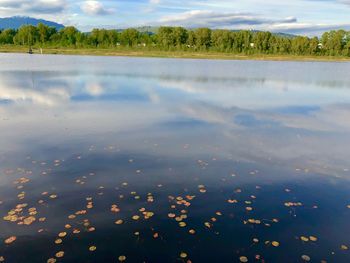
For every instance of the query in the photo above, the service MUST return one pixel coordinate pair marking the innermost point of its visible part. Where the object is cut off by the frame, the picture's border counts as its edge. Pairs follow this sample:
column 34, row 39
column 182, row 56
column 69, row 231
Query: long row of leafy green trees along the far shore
column 333, row 43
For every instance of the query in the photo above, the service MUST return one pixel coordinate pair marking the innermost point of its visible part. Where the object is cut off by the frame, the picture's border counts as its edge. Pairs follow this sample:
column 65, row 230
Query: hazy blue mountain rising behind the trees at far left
column 16, row 22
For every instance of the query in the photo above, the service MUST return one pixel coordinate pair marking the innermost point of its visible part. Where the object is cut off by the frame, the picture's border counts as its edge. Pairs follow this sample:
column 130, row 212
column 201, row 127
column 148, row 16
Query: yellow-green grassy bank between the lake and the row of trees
column 167, row 54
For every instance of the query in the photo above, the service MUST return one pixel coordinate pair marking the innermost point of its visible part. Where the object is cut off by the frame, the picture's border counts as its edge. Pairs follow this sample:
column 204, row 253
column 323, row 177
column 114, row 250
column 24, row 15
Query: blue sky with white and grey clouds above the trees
column 305, row 17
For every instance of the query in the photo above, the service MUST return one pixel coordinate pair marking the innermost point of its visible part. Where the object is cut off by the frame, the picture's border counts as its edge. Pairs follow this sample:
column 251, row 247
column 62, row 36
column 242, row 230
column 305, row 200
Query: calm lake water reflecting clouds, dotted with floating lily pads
column 253, row 155
